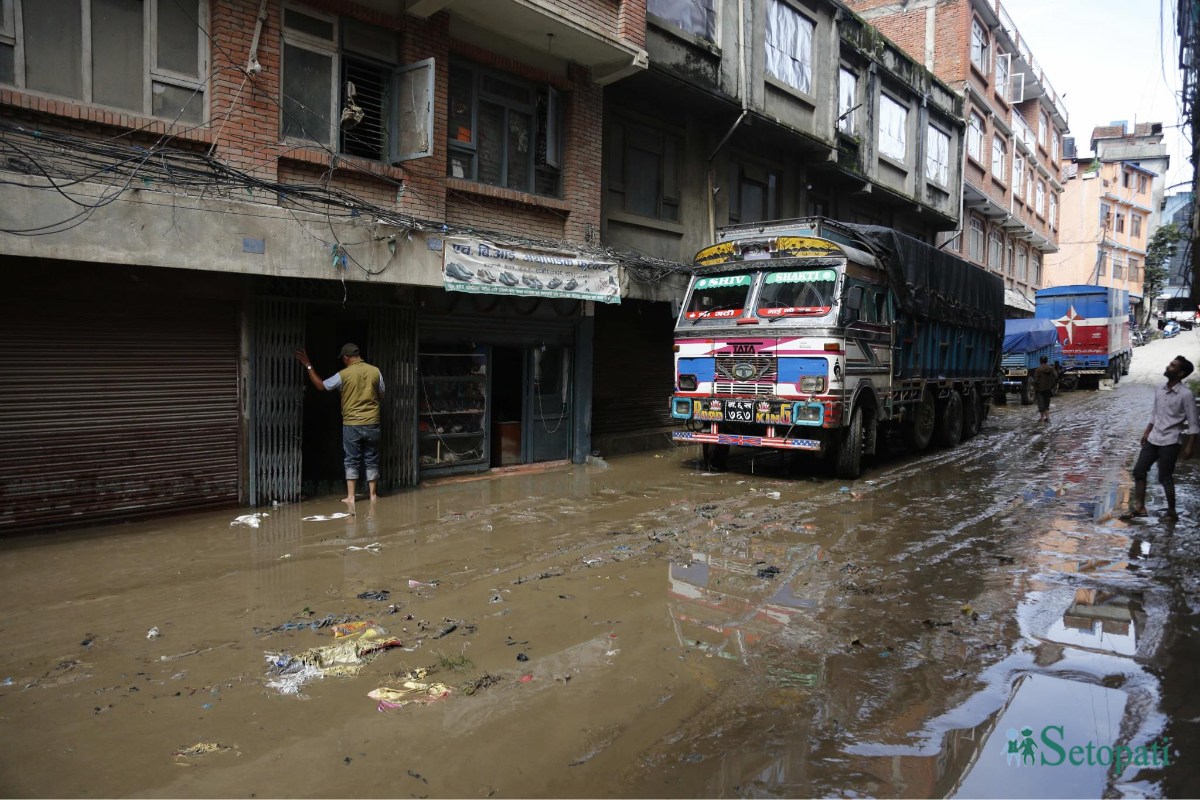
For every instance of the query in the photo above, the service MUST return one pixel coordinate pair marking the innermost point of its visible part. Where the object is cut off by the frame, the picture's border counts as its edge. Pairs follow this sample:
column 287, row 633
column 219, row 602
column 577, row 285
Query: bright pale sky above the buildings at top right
column 1111, row 61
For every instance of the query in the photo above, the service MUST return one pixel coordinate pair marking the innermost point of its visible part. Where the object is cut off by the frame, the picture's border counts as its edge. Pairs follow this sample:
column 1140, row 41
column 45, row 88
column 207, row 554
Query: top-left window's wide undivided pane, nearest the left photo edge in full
column 55, row 47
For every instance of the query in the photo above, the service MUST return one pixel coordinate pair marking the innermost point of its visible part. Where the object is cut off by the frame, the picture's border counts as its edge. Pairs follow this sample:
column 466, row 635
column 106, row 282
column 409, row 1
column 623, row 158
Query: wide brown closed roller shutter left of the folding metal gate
column 117, row 408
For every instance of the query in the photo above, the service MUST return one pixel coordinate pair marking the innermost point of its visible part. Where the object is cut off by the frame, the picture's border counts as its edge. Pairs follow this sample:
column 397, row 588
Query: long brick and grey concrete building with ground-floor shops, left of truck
column 494, row 199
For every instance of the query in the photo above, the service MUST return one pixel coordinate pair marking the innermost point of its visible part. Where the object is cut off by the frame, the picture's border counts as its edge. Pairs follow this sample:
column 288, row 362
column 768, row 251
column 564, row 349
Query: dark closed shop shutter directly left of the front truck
column 634, row 368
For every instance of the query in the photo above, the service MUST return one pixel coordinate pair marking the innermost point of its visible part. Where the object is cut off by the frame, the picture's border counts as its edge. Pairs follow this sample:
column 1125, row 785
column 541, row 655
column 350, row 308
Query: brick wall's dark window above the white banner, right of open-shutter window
column 505, row 131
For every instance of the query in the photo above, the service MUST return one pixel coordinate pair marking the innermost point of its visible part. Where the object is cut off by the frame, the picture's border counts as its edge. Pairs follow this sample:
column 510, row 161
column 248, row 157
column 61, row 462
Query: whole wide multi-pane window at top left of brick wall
column 143, row 57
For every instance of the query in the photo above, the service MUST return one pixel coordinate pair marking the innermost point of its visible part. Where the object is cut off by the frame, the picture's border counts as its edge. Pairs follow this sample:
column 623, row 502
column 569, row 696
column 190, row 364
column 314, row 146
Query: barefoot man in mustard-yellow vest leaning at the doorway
column 362, row 387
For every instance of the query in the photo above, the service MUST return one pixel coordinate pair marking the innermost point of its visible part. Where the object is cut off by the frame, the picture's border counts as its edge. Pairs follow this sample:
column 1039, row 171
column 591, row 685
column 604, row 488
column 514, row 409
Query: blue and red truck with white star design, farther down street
column 1094, row 329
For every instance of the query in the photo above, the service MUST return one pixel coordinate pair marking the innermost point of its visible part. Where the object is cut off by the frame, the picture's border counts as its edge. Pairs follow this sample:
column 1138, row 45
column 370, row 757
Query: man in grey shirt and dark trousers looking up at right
column 1173, row 428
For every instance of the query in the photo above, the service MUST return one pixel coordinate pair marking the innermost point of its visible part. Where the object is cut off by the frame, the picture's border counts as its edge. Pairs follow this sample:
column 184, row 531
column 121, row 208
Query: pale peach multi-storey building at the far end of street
column 1111, row 208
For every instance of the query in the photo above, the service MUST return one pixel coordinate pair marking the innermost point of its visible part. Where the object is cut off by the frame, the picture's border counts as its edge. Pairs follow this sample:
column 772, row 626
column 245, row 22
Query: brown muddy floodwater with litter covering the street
column 631, row 628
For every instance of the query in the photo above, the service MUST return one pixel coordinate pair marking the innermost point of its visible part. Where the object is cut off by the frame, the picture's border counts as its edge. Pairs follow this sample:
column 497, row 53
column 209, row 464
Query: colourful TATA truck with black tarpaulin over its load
column 821, row 338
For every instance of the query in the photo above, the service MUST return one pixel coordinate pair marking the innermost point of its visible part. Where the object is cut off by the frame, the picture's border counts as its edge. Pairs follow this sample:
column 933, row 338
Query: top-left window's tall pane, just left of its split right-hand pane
column 118, row 71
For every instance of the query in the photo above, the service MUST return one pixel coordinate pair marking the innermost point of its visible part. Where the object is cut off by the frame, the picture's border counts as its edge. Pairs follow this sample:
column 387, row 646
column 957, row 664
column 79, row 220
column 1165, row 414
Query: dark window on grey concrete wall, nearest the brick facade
column 644, row 171
